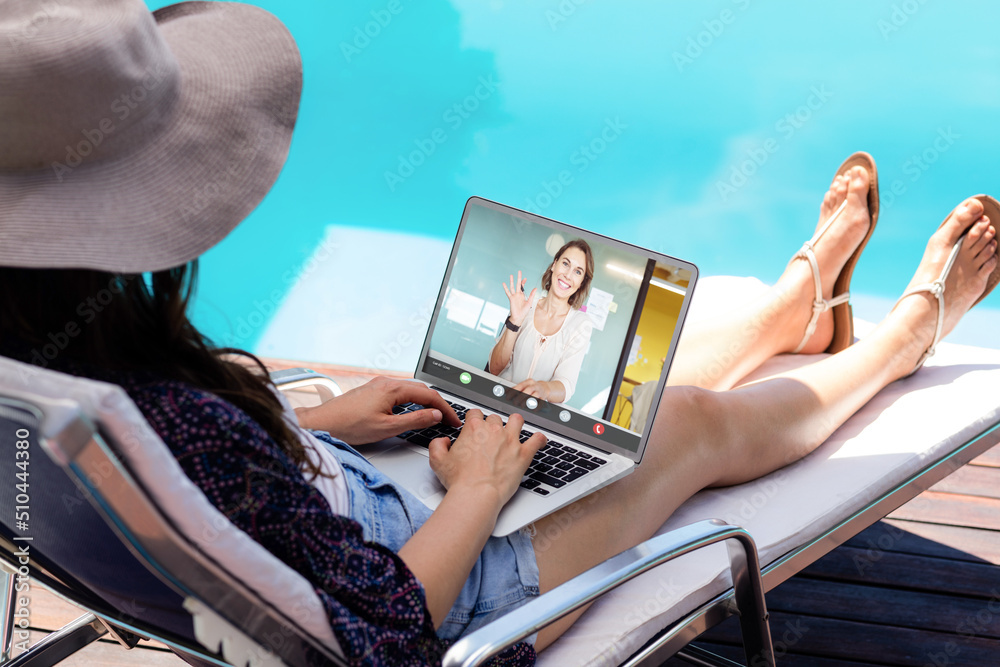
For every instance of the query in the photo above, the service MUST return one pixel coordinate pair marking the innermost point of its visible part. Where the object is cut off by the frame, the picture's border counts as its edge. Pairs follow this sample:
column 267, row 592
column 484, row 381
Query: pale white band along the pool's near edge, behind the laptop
column 365, row 298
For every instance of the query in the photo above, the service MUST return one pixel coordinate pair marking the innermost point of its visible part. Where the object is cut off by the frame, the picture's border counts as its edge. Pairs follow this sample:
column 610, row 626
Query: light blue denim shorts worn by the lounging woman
column 504, row 578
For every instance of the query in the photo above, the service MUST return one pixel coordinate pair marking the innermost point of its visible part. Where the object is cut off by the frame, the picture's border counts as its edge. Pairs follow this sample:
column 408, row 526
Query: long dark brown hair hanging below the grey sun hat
column 133, row 322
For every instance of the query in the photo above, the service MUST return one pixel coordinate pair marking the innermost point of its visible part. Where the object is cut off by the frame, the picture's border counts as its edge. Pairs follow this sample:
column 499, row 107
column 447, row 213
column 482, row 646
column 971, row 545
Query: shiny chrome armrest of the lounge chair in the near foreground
column 479, row 646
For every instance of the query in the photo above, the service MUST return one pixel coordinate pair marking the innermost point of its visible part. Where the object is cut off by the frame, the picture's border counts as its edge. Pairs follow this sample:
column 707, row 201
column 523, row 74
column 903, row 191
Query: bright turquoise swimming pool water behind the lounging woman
column 707, row 130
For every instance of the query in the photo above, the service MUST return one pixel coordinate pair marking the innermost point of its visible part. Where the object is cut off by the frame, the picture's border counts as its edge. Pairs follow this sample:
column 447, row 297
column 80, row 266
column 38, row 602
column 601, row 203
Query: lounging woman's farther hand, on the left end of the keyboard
column 364, row 415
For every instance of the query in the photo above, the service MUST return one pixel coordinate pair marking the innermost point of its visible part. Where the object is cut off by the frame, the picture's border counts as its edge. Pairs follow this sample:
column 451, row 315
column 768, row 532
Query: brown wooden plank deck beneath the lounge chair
column 920, row 588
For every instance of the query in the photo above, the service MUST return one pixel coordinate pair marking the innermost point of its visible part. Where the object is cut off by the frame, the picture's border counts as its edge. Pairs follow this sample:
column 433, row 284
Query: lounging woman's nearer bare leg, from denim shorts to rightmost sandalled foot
column 719, row 438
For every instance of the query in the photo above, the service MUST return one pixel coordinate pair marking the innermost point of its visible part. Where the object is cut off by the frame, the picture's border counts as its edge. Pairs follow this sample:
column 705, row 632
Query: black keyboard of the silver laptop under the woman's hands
column 555, row 465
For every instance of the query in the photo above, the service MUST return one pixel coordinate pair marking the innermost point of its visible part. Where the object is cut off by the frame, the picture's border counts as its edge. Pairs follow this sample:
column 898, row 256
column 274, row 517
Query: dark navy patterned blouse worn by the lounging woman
column 375, row 604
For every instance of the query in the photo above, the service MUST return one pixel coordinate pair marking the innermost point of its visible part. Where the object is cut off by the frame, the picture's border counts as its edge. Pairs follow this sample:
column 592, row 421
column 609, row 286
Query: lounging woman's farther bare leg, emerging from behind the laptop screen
column 717, row 353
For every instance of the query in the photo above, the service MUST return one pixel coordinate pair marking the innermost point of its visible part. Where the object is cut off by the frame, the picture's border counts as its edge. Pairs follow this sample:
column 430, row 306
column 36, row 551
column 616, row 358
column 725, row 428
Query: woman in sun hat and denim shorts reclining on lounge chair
column 132, row 143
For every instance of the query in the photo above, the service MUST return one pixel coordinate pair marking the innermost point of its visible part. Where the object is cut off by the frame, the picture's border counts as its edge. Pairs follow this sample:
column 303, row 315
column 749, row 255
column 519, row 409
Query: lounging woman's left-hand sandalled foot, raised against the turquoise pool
column 832, row 250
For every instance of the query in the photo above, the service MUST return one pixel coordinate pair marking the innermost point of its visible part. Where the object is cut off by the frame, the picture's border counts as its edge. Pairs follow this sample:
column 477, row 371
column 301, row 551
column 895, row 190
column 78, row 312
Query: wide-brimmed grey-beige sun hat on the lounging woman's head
column 133, row 141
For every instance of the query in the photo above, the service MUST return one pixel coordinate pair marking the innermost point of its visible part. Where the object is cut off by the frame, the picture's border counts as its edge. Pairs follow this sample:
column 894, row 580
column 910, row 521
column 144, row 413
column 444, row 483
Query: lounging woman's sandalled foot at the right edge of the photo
column 918, row 311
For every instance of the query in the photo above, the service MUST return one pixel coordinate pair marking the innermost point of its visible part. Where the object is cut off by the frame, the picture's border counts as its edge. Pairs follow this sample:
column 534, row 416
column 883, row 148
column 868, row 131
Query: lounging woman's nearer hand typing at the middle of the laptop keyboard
column 487, row 456
